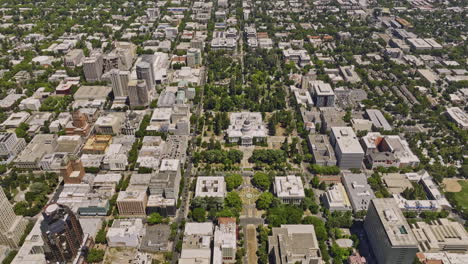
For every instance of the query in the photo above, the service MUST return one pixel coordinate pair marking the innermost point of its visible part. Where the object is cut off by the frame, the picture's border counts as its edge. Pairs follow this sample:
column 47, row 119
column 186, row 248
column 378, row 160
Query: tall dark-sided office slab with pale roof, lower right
column 389, row 235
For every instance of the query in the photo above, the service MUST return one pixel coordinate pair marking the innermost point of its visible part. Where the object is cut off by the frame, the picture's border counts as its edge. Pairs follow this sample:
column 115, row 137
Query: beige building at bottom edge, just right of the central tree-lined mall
column 290, row 244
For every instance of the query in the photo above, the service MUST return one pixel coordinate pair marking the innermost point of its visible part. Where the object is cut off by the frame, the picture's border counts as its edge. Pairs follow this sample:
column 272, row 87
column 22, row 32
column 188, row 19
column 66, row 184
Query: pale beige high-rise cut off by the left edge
column 11, row 226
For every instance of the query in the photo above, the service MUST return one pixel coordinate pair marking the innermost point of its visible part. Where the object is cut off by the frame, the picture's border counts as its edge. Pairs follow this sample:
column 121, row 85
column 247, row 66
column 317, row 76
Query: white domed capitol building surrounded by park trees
column 246, row 128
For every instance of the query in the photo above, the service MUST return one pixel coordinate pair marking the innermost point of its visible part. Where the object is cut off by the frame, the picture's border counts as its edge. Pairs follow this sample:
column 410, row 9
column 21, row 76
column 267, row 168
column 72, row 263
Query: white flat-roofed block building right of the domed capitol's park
column 349, row 153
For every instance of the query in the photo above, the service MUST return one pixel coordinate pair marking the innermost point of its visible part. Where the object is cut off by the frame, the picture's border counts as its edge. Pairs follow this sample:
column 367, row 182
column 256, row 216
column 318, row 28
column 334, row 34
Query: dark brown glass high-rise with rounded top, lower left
column 62, row 233
